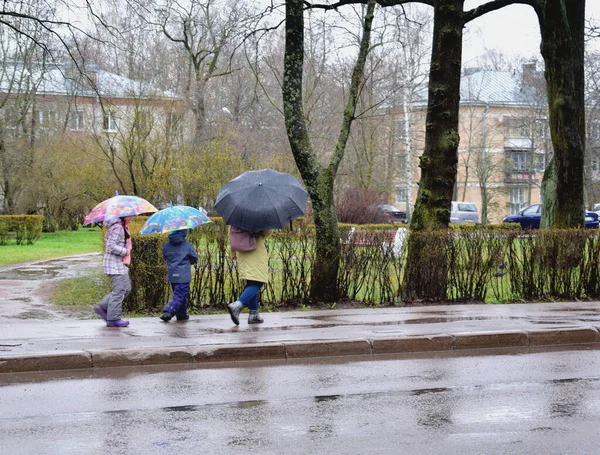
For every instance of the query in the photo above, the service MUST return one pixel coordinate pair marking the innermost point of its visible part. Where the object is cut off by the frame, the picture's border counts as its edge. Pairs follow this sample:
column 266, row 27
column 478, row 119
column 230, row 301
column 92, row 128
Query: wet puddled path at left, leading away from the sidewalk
column 25, row 288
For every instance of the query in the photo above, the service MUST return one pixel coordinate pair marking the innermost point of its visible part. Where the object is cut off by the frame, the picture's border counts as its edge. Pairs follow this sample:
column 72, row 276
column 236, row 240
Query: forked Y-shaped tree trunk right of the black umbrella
column 319, row 180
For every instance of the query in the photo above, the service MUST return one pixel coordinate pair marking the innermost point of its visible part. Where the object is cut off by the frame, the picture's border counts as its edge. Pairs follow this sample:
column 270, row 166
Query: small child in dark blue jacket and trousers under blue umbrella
column 180, row 256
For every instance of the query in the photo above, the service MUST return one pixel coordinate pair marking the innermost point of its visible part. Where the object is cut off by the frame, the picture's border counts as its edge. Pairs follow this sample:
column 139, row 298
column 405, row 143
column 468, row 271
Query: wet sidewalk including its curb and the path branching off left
column 65, row 342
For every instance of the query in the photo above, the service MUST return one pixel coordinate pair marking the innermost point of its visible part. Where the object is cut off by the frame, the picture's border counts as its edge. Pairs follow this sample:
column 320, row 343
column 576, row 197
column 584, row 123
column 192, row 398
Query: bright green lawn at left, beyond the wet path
column 53, row 245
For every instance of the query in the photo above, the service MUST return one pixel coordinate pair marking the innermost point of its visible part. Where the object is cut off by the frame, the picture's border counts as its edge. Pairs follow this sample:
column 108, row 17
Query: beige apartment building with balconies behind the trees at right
column 504, row 142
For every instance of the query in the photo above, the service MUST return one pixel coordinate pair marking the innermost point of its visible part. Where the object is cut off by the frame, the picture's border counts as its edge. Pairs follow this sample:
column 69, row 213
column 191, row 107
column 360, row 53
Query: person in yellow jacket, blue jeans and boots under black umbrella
column 253, row 266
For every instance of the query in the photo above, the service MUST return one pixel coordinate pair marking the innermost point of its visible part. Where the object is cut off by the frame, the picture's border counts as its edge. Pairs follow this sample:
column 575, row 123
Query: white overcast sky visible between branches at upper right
column 513, row 30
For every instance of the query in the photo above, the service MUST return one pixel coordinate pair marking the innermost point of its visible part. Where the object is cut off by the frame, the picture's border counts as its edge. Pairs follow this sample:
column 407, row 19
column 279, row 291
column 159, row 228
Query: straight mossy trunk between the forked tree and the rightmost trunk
column 439, row 160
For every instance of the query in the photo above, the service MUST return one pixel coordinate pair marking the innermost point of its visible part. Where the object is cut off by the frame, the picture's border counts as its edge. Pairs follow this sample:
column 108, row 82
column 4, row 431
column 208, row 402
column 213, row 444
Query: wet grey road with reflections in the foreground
column 544, row 402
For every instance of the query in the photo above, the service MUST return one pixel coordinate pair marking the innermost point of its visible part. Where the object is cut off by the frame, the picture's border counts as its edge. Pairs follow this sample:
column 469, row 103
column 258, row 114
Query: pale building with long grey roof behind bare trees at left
column 37, row 100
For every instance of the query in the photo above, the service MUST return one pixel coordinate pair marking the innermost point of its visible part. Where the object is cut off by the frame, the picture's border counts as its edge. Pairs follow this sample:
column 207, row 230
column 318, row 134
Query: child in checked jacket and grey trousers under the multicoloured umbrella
column 116, row 259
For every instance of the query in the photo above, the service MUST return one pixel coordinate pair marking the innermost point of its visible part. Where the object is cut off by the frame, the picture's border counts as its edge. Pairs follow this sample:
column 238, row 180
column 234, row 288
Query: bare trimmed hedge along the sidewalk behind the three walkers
column 481, row 264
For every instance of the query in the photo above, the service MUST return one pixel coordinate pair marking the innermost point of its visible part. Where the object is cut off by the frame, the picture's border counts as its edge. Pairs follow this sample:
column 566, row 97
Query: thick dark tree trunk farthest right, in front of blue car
column 562, row 29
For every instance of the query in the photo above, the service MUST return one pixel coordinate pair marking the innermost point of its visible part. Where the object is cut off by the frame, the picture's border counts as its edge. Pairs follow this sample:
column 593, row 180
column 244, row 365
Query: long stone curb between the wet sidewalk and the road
column 296, row 350
